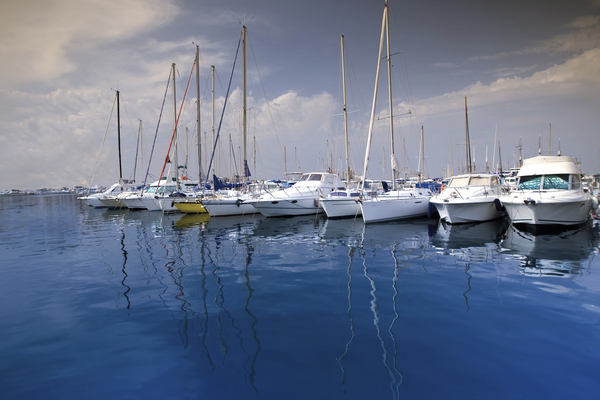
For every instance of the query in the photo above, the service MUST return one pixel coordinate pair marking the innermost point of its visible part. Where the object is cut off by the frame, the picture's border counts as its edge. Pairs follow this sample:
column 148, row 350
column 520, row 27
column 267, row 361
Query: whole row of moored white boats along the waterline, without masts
column 549, row 191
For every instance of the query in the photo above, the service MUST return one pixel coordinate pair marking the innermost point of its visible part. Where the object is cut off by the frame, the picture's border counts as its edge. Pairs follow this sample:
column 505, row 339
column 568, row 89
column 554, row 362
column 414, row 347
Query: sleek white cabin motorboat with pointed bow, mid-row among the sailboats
column 300, row 199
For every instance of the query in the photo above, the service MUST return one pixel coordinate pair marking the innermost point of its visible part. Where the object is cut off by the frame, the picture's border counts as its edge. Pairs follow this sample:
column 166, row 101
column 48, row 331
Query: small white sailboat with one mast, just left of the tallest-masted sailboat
column 342, row 203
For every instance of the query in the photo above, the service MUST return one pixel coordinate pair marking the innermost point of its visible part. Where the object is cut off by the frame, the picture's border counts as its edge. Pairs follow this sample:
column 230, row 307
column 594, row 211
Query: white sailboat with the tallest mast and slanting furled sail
column 398, row 203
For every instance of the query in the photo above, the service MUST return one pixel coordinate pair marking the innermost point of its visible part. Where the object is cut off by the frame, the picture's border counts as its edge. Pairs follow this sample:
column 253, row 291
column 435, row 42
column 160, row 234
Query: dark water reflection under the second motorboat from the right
column 469, row 235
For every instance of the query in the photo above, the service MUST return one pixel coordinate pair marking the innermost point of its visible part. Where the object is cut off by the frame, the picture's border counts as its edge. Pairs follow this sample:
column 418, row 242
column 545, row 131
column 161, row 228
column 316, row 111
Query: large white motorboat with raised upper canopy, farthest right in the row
column 549, row 193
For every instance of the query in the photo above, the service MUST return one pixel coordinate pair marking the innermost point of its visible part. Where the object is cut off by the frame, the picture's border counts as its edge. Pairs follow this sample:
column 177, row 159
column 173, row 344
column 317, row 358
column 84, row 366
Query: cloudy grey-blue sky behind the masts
column 530, row 72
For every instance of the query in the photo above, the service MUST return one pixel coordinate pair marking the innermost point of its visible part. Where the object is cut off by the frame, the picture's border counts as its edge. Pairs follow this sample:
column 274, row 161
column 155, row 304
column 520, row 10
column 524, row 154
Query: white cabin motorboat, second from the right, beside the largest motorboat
column 470, row 198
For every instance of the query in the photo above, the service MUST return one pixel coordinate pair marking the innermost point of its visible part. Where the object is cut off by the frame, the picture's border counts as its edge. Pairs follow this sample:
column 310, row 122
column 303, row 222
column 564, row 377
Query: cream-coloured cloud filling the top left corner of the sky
column 38, row 36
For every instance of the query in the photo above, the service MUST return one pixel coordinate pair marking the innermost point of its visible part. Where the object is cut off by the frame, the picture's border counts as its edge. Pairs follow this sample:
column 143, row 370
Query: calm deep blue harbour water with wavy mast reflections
column 101, row 304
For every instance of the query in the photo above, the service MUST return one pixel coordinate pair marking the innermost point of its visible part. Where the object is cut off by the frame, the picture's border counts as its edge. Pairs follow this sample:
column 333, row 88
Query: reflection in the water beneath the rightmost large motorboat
column 562, row 254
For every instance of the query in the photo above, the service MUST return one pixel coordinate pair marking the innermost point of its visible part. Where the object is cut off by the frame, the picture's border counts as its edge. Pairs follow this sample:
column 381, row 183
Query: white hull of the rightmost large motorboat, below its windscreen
column 572, row 210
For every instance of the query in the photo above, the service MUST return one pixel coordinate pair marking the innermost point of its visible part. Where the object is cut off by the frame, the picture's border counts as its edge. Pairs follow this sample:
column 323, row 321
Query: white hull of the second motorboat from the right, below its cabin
column 467, row 211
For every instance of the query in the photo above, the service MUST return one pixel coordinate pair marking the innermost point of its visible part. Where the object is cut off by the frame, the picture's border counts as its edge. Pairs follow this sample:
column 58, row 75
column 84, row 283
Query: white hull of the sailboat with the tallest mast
column 392, row 207
